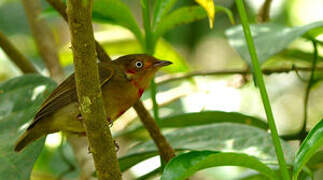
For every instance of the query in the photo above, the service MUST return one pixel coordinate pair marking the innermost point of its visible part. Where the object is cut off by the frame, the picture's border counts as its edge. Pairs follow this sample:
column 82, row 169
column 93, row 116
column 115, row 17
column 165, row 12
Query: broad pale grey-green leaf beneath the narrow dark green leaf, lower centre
column 217, row 137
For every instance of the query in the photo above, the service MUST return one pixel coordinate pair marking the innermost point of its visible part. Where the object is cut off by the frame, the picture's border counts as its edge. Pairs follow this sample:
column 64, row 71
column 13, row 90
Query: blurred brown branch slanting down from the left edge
column 16, row 57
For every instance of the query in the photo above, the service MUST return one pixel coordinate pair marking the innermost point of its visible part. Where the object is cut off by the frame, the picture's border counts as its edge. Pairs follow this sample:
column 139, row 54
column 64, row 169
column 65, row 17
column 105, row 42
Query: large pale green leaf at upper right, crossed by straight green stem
column 269, row 39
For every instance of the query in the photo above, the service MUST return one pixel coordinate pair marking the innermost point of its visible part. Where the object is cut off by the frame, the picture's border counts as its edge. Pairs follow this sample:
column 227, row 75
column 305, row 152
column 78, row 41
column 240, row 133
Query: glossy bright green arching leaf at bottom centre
column 185, row 165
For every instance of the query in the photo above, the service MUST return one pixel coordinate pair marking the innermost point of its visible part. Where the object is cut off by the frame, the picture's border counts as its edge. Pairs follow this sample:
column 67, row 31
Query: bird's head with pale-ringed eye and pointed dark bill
column 140, row 68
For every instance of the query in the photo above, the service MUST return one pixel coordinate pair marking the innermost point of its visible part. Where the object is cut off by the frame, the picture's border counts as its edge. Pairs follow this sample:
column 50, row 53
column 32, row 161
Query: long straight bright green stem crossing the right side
column 260, row 81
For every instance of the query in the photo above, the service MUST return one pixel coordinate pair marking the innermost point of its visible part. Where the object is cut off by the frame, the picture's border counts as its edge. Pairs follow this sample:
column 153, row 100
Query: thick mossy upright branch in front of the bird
column 79, row 15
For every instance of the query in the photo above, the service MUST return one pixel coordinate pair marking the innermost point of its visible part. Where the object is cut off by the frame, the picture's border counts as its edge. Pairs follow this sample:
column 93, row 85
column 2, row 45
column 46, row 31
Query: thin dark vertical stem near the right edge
column 308, row 90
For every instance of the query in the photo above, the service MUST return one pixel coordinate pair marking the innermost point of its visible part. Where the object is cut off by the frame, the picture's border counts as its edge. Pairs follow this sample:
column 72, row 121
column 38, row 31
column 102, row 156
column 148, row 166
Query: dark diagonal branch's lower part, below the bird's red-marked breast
column 165, row 150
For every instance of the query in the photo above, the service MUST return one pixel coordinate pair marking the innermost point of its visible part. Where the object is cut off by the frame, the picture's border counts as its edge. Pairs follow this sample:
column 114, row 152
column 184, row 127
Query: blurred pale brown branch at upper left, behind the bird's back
column 44, row 39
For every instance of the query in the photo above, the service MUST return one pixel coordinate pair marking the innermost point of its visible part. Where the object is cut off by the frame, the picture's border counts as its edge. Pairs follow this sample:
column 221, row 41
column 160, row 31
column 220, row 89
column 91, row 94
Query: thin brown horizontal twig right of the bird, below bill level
column 180, row 76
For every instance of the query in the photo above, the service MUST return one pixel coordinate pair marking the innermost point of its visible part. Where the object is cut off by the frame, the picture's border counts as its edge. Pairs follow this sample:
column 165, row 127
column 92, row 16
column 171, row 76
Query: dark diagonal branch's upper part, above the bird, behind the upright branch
column 60, row 7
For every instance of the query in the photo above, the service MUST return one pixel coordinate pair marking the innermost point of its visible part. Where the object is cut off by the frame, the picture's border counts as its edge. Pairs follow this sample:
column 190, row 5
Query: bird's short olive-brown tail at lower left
column 28, row 137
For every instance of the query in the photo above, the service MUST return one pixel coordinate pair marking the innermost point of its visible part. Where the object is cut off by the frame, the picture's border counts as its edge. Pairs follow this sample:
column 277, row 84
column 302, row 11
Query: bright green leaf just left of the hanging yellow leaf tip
column 178, row 17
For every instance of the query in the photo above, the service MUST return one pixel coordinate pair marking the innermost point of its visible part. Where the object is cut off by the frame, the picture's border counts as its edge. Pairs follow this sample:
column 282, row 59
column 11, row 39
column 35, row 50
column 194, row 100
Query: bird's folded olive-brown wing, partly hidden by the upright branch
column 65, row 94
